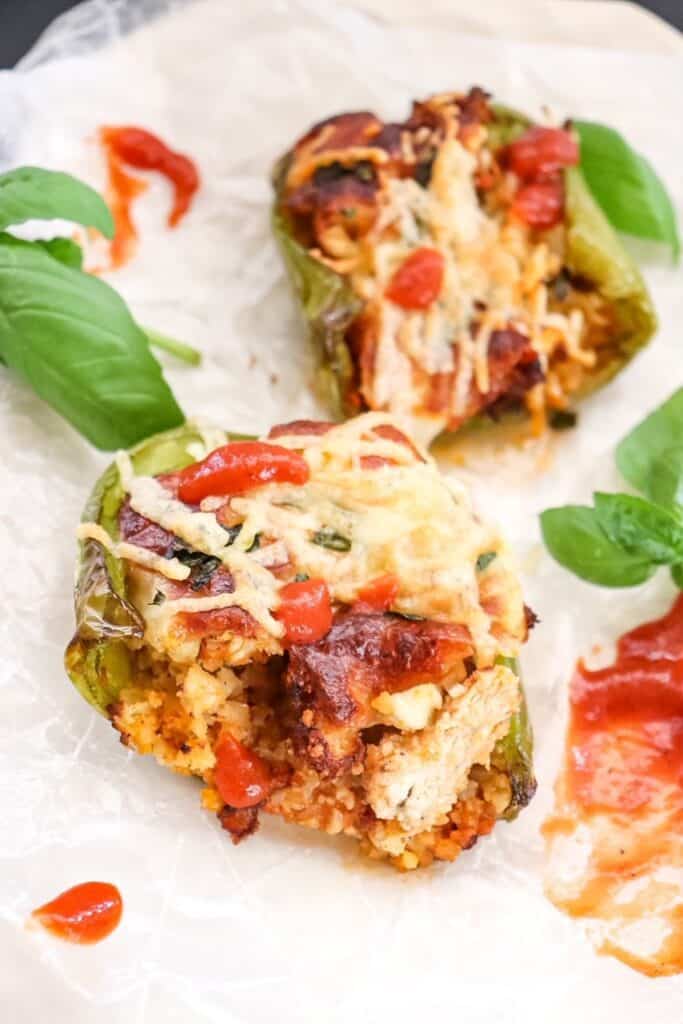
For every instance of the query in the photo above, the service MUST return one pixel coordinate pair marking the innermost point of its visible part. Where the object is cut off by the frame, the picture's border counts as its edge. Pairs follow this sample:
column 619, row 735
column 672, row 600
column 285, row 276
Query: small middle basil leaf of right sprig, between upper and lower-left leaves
column 641, row 528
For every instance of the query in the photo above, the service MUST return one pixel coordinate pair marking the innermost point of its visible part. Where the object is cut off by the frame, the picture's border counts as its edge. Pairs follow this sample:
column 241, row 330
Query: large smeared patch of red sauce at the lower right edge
column 615, row 841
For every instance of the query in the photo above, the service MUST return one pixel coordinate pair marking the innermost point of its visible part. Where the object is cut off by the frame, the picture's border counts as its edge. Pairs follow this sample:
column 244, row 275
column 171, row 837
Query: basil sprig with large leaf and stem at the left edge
column 69, row 334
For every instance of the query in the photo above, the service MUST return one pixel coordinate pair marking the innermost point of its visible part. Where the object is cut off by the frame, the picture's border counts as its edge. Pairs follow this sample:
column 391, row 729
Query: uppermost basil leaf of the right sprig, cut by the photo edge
column 638, row 453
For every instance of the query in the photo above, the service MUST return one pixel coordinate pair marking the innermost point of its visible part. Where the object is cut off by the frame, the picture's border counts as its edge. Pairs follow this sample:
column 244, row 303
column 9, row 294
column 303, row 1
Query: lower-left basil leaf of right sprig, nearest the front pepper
column 576, row 540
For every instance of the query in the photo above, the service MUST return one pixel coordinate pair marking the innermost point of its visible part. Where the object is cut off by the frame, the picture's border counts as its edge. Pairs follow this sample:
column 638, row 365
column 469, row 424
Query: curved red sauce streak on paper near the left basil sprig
column 138, row 148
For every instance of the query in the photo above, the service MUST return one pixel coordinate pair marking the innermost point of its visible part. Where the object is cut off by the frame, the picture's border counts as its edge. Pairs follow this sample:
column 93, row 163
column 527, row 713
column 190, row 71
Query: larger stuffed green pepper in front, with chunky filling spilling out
column 317, row 626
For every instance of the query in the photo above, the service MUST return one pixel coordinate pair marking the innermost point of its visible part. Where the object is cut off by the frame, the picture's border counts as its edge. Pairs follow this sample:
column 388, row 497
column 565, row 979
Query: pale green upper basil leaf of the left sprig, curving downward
column 33, row 193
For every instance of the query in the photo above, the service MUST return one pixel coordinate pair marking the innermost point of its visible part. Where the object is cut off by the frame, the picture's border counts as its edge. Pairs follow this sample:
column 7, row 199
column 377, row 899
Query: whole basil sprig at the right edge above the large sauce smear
column 622, row 540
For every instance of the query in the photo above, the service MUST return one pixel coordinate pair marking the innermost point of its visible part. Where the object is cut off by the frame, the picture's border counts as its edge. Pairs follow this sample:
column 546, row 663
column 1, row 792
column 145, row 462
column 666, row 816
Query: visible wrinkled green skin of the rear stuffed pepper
column 329, row 306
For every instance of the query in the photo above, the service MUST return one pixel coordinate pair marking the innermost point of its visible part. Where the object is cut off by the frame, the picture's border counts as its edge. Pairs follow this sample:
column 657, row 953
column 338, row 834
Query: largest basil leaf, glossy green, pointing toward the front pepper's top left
column 73, row 339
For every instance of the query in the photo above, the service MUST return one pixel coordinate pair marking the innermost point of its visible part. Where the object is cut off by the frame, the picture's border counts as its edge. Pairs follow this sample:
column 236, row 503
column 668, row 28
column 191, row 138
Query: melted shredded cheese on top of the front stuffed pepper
column 402, row 519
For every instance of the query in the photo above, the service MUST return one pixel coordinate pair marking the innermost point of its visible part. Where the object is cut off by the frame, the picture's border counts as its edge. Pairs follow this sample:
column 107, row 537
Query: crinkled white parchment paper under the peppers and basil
column 289, row 926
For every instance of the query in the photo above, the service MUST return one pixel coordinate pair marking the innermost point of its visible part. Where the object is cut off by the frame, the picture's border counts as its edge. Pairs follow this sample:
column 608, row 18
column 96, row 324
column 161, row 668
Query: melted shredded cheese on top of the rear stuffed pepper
column 490, row 265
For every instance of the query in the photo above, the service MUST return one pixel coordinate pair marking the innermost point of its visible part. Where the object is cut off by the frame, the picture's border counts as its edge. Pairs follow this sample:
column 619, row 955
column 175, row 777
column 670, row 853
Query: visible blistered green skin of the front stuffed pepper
column 98, row 659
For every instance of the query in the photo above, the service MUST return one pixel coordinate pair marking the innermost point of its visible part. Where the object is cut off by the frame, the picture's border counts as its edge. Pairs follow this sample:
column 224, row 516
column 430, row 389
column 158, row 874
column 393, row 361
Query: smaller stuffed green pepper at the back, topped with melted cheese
column 455, row 266
